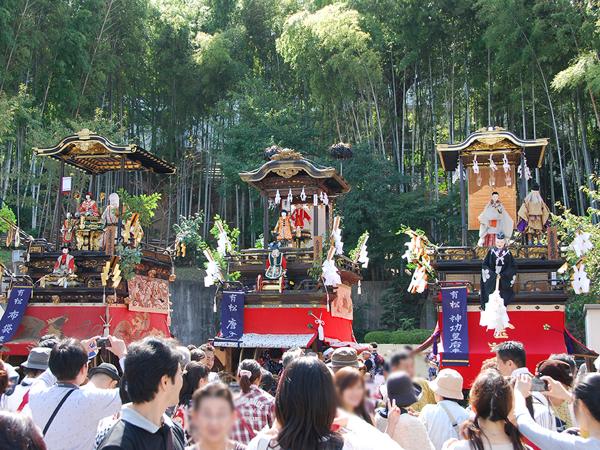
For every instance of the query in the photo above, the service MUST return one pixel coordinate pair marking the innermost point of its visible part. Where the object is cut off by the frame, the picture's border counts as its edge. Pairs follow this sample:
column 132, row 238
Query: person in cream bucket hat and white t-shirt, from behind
column 443, row 419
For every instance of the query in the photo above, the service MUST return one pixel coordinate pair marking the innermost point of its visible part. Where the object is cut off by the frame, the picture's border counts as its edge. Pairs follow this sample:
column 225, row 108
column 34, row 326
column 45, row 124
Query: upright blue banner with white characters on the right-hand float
column 455, row 331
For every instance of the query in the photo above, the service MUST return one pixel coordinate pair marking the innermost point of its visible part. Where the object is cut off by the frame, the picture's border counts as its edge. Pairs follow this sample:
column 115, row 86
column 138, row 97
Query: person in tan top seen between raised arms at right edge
column 559, row 371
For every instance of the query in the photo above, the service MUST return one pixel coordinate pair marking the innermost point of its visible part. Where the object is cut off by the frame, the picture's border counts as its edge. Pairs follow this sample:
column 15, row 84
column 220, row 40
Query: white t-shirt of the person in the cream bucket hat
column 438, row 424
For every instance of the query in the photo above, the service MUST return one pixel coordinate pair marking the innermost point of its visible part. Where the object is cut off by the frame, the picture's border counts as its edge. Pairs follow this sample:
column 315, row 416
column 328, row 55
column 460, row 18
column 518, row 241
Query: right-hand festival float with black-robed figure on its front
column 511, row 285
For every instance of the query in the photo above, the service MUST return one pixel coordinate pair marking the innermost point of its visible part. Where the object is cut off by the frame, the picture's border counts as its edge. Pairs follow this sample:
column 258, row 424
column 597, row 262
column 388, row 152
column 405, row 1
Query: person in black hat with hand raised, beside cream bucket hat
column 404, row 428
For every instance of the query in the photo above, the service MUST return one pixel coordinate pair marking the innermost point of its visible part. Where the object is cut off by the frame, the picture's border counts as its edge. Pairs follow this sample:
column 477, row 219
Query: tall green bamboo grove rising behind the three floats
column 208, row 84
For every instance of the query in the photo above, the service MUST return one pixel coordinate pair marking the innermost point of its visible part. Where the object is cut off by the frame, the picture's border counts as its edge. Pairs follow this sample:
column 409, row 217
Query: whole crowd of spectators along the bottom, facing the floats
column 164, row 396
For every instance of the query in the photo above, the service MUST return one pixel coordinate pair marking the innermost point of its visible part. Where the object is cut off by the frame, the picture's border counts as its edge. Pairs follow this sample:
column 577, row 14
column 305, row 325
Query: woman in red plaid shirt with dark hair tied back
column 254, row 406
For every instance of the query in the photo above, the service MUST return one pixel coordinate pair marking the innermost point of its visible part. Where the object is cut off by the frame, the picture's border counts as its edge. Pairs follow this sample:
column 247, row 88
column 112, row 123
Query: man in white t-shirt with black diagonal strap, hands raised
column 68, row 414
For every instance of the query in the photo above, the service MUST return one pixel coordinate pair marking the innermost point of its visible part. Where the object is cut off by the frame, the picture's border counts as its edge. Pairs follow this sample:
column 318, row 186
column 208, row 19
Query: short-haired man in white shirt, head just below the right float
column 510, row 358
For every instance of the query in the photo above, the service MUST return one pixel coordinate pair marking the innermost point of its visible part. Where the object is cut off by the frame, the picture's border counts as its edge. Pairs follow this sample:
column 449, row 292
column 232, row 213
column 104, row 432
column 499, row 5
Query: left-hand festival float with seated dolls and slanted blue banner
column 98, row 274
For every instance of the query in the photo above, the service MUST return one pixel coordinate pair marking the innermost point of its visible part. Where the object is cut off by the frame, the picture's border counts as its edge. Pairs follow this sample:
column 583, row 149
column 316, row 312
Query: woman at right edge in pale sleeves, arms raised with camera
column 586, row 405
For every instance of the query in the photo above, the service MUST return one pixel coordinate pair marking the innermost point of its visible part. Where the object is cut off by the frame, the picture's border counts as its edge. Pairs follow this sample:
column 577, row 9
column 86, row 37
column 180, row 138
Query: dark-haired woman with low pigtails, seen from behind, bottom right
column 491, row 401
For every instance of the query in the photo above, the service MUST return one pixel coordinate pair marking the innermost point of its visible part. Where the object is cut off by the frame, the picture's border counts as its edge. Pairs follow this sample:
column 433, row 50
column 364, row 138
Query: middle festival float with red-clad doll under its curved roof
column 295, row 291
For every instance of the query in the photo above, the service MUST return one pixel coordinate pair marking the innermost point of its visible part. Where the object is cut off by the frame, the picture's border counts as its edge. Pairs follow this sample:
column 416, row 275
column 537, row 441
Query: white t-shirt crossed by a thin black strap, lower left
column 76, row 424
